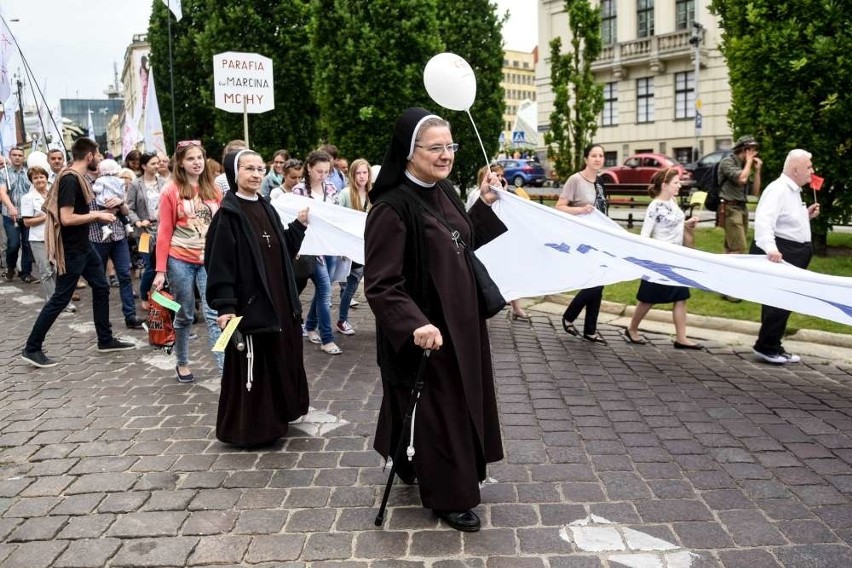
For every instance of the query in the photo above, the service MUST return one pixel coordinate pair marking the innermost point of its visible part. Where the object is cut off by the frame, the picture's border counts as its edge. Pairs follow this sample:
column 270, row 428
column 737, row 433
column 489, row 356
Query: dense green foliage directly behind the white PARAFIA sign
column 278, row 31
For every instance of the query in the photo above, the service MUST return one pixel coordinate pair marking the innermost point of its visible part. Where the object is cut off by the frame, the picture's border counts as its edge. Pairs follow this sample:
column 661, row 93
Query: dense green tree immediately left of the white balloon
column 369, row 59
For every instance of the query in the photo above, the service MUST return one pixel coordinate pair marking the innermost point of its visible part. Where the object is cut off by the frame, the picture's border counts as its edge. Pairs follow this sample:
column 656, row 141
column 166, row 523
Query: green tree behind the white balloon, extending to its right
column 473, row 30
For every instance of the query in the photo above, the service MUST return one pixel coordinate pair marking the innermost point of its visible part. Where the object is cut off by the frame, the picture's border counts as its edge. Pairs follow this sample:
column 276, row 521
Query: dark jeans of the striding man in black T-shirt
column 77, row 263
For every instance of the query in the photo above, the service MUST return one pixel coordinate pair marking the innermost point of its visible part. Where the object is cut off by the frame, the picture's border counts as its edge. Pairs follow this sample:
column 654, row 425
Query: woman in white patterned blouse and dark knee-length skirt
column 664, row 221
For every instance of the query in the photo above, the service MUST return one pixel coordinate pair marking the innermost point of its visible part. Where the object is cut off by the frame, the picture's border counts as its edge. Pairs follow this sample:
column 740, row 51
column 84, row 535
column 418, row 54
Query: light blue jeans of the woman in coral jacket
column 183, row 279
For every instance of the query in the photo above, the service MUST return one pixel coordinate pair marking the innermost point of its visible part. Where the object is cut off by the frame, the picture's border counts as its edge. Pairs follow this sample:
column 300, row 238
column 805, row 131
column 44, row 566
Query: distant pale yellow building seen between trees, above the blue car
column 518, row 86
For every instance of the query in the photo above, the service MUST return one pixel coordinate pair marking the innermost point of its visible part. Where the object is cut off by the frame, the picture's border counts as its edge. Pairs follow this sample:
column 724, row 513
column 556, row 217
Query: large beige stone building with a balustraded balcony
column 652, row 87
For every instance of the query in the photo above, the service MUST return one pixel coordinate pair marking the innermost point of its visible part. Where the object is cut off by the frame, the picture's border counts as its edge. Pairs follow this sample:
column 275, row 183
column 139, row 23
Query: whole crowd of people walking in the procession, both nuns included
column 212, row 238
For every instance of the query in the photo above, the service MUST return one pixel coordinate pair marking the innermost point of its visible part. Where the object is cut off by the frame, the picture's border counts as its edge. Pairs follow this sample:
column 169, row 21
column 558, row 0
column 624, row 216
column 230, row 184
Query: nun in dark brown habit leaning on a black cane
column 423, row 294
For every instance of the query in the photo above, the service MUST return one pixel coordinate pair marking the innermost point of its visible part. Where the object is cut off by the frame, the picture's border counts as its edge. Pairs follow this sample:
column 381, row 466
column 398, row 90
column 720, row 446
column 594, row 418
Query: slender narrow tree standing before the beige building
column 577, row 97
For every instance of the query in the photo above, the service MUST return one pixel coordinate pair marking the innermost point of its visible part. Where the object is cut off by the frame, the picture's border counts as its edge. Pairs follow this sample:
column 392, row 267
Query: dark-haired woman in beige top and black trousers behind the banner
column 582, row 194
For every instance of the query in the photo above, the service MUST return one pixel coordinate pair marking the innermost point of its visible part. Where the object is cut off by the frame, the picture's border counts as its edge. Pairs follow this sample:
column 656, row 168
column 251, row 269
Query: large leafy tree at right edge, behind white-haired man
column 790, row 69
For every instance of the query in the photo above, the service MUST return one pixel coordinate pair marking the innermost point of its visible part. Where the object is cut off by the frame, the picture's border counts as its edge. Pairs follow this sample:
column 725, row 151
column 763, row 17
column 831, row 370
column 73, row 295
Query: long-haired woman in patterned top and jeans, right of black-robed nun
column 317, row 187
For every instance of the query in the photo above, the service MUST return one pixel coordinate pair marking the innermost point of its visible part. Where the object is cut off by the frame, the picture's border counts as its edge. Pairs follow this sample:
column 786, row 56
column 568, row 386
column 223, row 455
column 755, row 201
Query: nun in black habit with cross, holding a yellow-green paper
column 248, row 258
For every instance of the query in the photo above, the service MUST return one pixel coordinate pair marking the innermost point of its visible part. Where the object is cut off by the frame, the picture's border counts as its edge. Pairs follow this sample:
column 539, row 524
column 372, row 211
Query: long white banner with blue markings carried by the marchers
column 546, row 251
